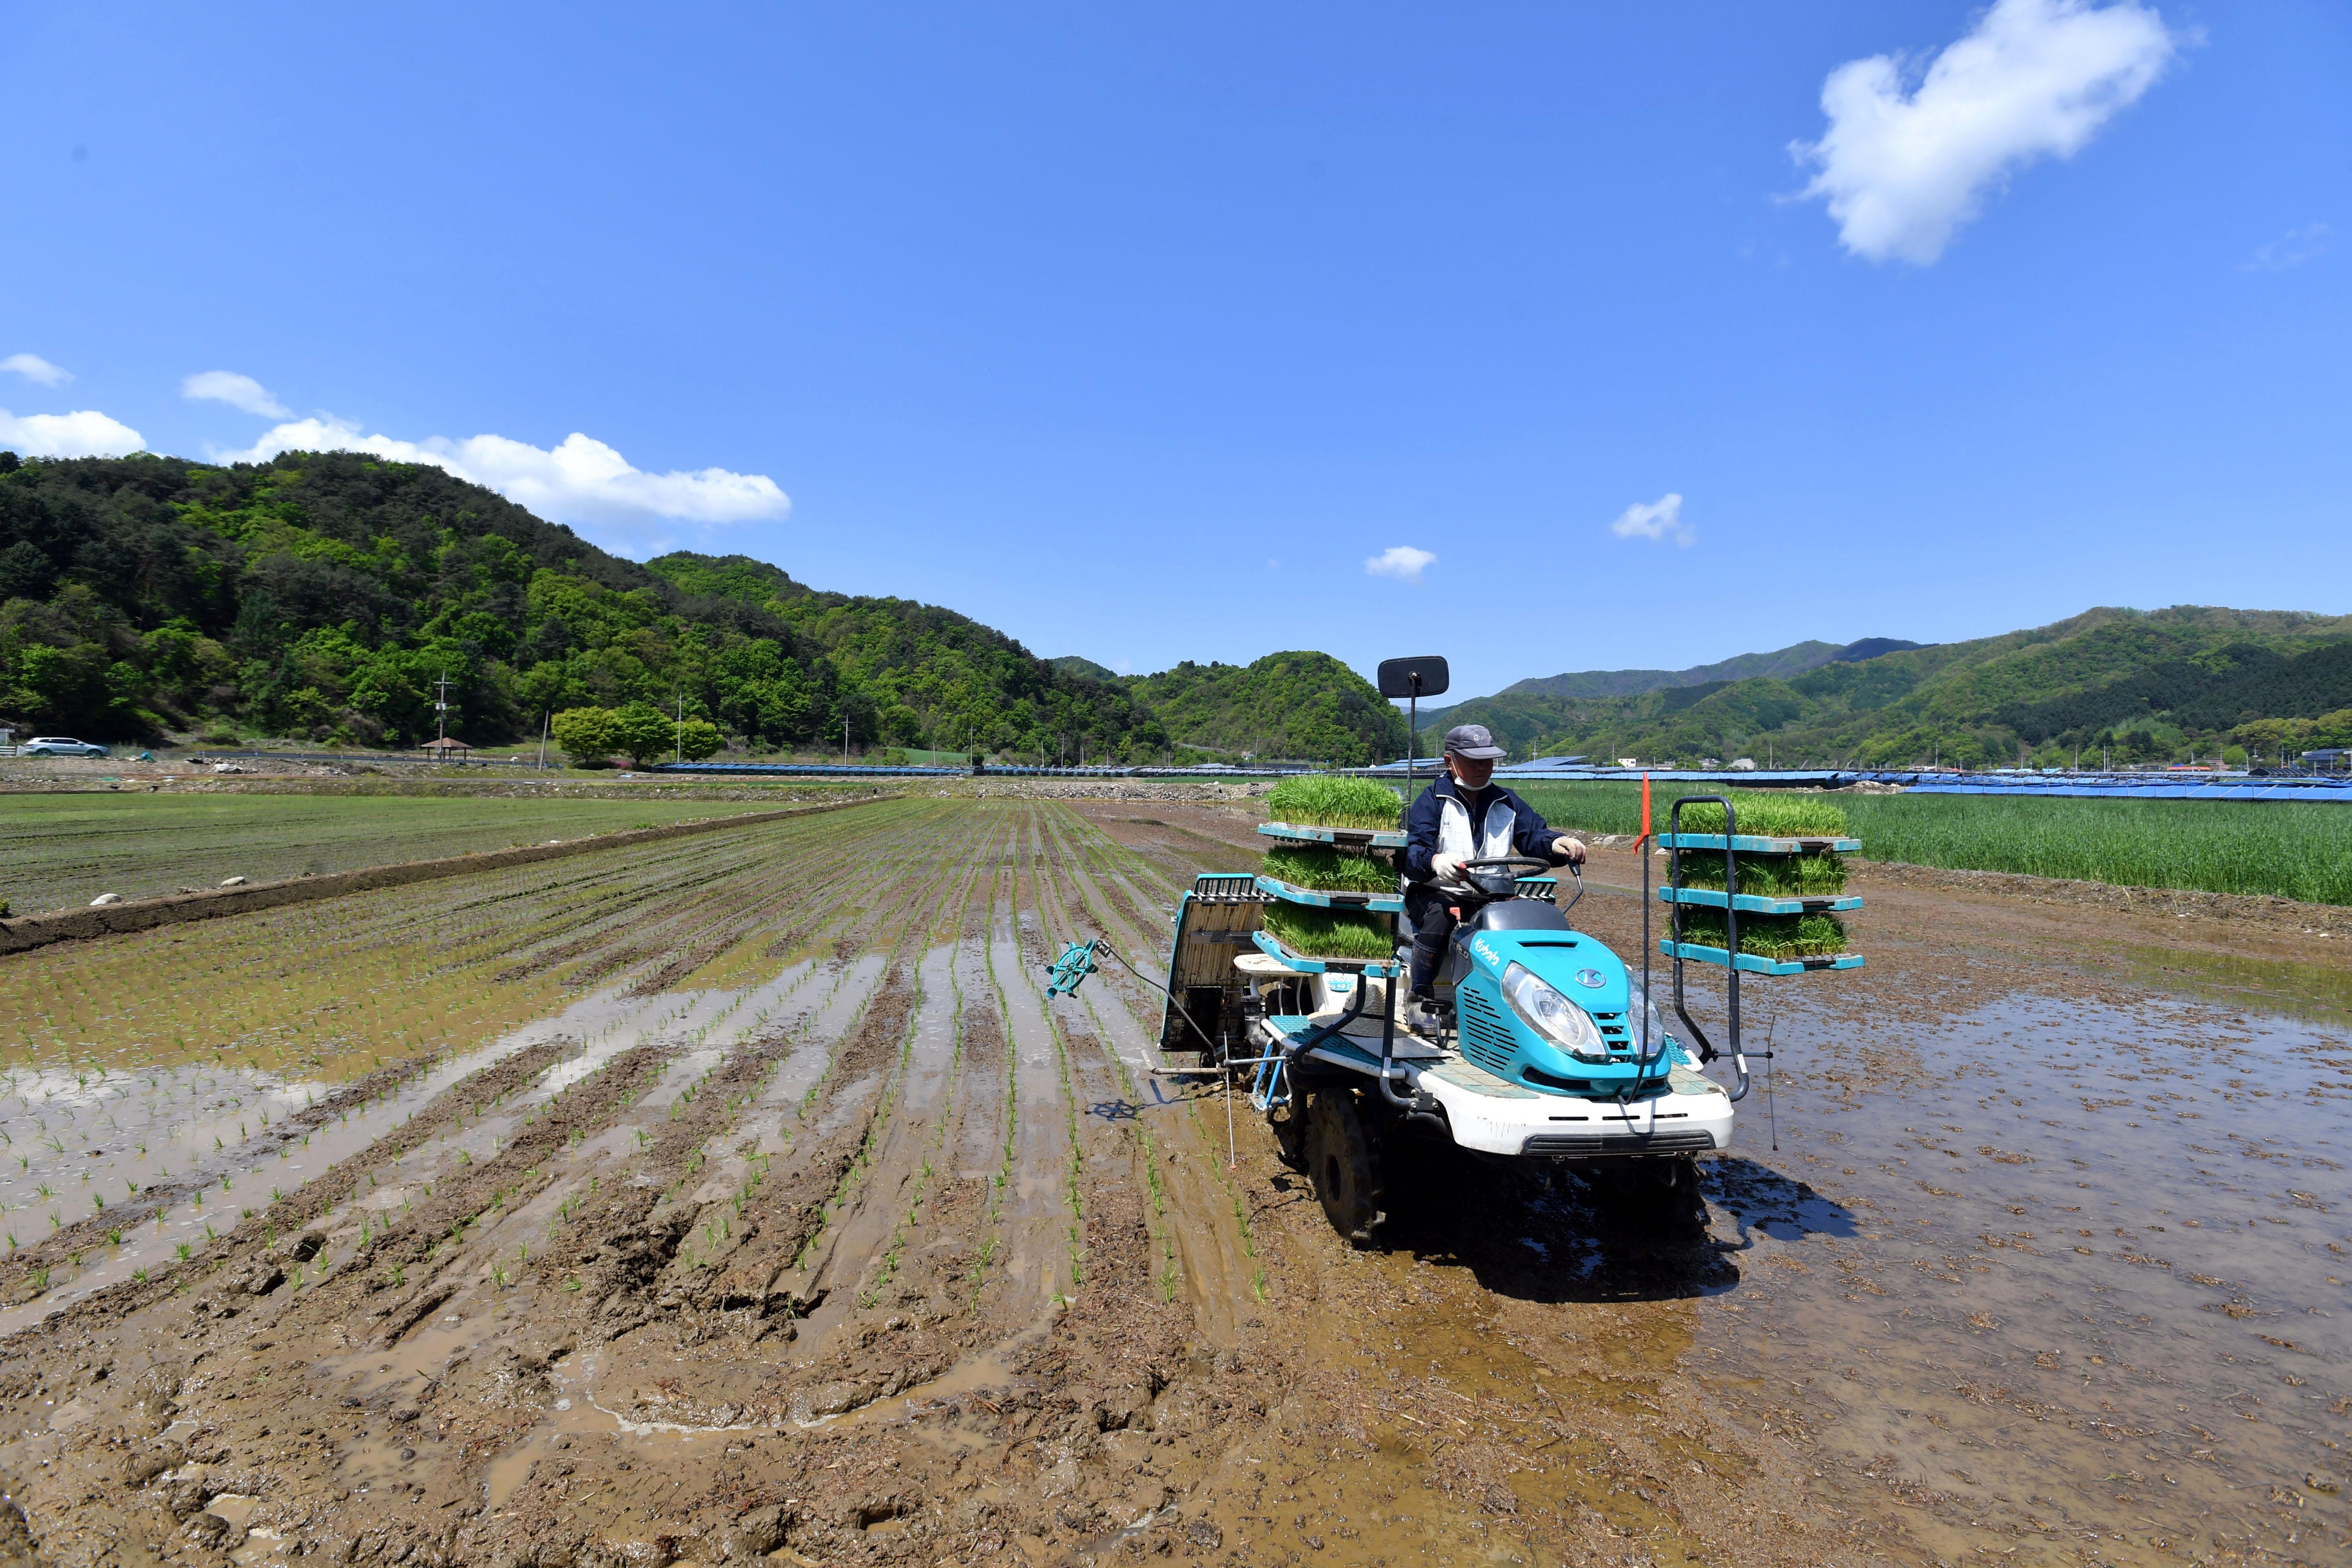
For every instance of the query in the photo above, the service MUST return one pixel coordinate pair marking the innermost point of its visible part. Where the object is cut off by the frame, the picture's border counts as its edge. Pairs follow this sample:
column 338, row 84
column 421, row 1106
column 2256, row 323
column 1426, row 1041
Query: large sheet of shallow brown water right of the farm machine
column 2094, row 1275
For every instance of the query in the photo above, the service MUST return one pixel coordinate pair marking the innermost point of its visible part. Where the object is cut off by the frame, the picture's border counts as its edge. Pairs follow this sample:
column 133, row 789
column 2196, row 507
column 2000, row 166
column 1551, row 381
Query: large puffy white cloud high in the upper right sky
column 2036, row 79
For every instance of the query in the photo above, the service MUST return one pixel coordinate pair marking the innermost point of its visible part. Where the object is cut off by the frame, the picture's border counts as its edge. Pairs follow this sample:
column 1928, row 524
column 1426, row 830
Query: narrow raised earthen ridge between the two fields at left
column 32, row 932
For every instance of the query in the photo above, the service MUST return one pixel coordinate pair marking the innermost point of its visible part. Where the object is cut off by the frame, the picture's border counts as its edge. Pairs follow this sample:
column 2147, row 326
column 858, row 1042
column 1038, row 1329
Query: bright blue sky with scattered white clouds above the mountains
column 1142, row 335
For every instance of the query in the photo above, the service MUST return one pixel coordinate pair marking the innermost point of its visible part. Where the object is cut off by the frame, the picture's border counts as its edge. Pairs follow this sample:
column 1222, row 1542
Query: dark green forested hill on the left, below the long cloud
column 323, row 596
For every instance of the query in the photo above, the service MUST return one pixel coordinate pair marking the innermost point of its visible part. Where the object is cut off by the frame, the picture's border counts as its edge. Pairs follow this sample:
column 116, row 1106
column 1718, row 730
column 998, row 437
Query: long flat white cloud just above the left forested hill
column 582, row 481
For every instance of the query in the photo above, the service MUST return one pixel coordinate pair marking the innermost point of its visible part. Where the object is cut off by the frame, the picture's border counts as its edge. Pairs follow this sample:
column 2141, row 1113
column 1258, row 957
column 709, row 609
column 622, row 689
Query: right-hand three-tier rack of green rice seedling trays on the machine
column 1786, row 890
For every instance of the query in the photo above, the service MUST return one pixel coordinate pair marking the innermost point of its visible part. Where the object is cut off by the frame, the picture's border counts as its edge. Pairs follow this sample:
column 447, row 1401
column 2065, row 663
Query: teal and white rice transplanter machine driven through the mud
column 1546, row 1045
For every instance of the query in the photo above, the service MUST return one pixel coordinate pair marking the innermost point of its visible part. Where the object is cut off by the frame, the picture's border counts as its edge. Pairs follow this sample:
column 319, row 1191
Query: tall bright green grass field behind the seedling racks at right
column 2219, row 847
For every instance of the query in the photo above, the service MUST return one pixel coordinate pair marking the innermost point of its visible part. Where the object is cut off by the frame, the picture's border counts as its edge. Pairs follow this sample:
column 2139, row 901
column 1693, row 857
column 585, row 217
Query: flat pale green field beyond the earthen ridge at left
column 67, row 850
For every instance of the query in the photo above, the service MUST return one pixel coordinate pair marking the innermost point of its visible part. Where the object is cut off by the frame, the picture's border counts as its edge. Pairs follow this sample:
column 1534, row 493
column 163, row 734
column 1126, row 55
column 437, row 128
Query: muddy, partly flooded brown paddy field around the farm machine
column 742, row 1195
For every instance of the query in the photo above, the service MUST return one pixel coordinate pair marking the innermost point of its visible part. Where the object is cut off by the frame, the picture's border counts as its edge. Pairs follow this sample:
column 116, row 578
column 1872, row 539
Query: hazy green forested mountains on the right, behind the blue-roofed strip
column 2134, row 685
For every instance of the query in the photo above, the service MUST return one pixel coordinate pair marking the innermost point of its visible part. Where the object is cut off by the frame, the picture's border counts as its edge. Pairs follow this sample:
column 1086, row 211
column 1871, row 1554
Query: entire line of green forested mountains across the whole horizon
column 323, row 596
